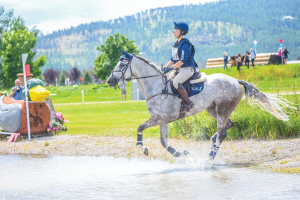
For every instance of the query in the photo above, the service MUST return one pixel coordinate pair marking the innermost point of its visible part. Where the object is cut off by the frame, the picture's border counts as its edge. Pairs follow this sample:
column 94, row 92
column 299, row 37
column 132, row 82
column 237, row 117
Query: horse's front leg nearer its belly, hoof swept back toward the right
column 164, row 131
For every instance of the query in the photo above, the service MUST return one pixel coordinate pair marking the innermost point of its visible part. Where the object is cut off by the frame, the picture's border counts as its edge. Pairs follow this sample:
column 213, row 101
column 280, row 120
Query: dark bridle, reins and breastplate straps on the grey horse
column 164, row 94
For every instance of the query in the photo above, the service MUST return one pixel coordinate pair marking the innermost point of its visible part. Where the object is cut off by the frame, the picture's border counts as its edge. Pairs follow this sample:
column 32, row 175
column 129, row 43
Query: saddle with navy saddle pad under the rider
column 194, row 85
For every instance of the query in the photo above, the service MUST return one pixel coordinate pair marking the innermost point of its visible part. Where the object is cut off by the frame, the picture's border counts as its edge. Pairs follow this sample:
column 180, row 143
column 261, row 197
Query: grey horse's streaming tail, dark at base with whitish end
column 273, row 105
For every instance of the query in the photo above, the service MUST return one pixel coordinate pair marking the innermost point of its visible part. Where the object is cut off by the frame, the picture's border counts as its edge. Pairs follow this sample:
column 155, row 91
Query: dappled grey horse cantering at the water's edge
column 220, row 97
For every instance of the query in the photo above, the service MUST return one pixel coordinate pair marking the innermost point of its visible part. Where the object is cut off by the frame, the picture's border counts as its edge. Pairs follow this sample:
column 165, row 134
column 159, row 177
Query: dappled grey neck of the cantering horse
column 149, row 86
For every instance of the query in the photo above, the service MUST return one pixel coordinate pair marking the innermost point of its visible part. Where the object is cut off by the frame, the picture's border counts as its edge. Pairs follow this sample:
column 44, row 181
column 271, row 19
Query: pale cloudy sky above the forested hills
column 51, row 15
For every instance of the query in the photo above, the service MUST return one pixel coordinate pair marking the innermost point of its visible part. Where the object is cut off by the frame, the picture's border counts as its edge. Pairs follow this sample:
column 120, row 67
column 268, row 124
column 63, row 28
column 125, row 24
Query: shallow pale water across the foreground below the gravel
column 120, row 178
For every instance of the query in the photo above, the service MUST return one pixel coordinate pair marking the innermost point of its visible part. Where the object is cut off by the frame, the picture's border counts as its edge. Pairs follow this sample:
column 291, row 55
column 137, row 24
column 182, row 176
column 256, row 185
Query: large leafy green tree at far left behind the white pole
column 19, row 40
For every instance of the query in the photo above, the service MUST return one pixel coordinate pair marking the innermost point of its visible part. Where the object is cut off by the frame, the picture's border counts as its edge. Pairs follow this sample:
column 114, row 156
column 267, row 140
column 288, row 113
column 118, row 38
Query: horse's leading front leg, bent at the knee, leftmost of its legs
column 153, row 121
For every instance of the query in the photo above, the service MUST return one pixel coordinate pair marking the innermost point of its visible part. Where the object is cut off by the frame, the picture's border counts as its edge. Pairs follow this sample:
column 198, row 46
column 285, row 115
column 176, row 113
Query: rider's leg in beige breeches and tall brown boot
column 184, row 74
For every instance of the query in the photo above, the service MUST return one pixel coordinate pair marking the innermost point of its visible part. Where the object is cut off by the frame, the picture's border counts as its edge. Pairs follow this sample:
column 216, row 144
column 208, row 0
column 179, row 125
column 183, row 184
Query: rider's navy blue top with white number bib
column 183, row 53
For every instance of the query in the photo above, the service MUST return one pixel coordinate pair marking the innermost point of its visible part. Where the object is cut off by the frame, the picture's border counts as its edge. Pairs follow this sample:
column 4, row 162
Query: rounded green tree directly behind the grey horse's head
column 109, row 58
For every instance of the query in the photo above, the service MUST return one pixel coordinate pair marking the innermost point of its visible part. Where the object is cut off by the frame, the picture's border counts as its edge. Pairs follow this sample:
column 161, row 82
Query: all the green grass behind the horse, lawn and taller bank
column 109, row 118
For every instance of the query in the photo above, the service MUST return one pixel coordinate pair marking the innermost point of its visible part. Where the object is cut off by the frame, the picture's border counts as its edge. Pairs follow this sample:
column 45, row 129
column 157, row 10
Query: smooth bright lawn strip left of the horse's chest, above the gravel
column 107, row 119
